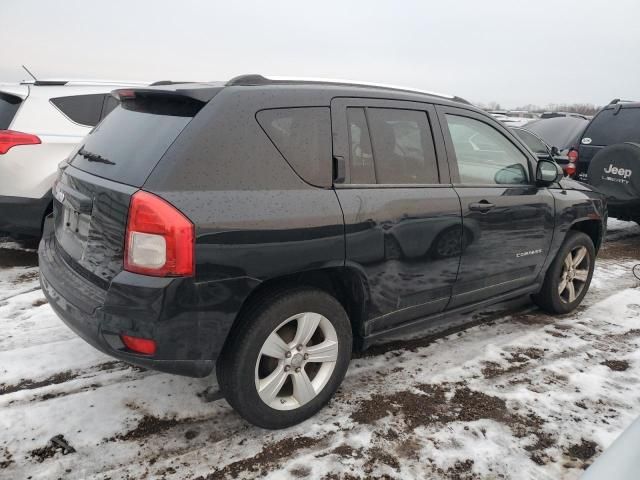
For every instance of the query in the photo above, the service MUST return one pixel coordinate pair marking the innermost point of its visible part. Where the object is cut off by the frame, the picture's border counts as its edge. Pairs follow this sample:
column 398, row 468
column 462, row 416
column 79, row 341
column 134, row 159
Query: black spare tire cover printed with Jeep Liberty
column 615, row 171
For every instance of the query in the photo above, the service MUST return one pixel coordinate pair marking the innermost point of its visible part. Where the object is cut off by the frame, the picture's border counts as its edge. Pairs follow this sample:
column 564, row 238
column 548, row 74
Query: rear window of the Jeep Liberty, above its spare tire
column 609, row 127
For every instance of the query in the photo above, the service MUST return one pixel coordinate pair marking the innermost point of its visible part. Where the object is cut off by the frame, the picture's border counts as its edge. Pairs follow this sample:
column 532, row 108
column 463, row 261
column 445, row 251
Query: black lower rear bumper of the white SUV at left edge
column 23, row 216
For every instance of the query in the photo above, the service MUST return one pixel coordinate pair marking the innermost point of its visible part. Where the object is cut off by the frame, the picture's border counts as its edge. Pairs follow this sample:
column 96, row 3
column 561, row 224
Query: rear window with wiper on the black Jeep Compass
column 127, row 145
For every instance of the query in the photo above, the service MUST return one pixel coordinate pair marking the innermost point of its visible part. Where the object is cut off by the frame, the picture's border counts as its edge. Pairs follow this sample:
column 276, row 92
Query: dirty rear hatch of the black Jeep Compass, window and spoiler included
column 94, row 189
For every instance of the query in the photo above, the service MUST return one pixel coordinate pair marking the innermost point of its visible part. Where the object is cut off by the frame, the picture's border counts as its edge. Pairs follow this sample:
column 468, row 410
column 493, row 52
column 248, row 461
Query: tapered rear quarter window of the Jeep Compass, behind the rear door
column 303, row 137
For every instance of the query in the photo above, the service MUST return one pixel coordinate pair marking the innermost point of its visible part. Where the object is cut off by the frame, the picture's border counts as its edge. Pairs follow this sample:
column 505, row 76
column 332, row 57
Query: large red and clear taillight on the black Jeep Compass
column 159, row 239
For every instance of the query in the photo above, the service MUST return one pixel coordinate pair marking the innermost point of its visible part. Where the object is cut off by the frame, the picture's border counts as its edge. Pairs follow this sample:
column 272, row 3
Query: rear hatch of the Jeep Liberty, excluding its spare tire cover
column 615, row 124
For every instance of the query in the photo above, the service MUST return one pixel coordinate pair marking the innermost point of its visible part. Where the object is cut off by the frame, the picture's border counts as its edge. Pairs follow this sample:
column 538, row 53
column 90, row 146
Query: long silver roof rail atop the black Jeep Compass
column 257, row 79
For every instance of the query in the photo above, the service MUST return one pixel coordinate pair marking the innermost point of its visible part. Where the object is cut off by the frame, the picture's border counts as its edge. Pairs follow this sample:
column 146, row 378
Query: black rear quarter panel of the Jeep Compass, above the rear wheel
column 255, row 219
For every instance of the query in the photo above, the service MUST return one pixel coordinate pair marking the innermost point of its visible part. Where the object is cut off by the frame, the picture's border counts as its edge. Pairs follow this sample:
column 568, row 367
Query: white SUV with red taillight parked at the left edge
column 41, row 122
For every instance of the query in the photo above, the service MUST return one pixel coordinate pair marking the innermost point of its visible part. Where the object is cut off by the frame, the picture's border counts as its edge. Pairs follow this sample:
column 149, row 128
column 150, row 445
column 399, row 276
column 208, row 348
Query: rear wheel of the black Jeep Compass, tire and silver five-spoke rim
column 244, row 365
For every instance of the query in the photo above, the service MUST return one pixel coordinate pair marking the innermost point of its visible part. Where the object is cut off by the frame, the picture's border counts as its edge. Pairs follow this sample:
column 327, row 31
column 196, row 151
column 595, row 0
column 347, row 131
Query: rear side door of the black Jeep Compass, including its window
column 402, row 216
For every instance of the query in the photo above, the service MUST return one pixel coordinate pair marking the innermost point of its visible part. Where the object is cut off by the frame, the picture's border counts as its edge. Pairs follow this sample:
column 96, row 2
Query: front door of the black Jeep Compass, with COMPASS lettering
column 509, row 219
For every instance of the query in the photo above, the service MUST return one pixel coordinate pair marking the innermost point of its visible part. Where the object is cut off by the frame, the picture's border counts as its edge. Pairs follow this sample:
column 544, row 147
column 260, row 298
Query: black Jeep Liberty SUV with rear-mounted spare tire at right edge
column 609, row 157
